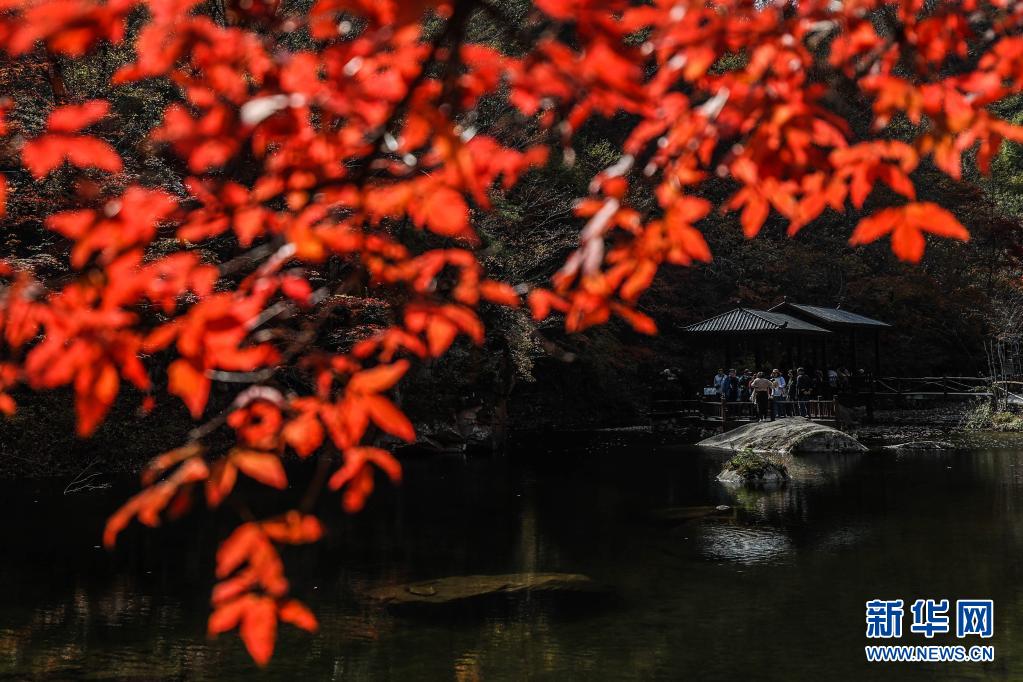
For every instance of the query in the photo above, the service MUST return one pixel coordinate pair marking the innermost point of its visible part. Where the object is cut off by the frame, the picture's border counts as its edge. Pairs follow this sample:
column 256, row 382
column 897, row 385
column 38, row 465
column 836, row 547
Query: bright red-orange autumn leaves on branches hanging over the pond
column 366, row 151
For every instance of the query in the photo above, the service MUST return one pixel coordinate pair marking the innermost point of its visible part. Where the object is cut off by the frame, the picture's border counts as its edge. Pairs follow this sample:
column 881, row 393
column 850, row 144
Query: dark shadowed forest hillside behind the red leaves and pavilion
column 945, row 312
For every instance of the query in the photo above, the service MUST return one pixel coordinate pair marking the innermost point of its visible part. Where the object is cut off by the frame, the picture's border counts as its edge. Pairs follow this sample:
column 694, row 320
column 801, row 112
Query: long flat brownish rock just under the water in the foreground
column 463, row 588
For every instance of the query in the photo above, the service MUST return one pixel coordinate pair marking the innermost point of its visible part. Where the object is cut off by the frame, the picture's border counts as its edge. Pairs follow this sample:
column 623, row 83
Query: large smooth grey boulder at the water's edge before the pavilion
column 789, row 436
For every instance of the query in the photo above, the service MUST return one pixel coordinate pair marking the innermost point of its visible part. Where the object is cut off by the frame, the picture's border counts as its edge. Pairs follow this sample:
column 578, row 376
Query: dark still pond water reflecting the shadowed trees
column 775, row 589
